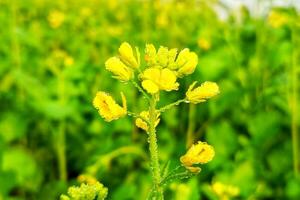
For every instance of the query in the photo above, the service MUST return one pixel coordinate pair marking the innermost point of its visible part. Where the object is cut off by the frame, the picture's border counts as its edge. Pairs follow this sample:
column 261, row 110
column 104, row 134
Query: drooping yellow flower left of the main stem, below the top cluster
column 108, row 108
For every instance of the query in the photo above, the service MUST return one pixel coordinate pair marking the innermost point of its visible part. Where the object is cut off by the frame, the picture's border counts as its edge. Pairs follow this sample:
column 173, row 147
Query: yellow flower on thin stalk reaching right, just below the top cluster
column 202, row 93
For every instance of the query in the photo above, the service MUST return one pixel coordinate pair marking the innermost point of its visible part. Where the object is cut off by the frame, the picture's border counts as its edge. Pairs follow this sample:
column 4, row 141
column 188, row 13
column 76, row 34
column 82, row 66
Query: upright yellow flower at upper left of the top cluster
column 127, row 56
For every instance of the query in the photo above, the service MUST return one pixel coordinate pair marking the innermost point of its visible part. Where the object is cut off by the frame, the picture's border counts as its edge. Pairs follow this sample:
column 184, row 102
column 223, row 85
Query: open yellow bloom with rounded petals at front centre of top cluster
column 155, row 79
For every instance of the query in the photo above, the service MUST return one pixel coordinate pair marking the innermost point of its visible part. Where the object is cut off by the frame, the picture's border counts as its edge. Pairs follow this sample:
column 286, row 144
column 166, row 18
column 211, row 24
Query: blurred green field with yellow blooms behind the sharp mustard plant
column 52, row 56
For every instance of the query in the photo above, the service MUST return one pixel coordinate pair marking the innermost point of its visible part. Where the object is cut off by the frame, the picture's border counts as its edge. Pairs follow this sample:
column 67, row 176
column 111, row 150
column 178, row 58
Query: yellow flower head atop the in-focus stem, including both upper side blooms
column 163, row 67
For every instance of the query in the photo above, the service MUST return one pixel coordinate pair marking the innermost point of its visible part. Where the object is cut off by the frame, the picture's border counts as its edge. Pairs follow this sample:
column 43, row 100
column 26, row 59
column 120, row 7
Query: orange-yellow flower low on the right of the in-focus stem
column 199, row 153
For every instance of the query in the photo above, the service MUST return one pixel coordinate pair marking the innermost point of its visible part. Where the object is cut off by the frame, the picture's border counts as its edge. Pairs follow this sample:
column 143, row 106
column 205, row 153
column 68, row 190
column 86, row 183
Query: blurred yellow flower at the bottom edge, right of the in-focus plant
column 224, row 191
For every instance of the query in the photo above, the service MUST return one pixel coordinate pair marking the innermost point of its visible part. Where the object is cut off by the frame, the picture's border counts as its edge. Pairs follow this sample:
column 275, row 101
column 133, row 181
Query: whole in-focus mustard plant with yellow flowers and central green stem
column 162, row 70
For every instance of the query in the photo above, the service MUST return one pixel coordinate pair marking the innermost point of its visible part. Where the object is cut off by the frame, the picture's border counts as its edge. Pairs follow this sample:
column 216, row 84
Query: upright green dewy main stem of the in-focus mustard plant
column 153, row 148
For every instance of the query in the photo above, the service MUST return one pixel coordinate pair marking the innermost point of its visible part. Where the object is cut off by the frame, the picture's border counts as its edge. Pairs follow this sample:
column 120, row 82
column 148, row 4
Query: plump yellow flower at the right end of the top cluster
column 186, row 62
